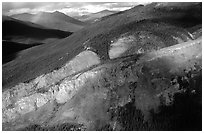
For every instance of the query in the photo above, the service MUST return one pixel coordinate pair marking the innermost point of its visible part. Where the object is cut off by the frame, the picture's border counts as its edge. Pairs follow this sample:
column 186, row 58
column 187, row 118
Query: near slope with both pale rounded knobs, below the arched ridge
column 127, row 76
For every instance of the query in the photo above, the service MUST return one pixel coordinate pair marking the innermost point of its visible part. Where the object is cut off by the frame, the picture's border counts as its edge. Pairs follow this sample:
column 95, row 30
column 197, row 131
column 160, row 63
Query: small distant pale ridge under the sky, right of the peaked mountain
column 92, row 17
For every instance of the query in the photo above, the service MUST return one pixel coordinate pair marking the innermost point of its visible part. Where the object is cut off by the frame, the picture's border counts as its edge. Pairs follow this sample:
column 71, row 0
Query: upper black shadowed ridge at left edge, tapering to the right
column 28, row 33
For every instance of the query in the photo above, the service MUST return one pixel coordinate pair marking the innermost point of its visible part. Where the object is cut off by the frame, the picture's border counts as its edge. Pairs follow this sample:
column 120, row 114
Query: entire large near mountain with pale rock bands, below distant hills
column 140, row 69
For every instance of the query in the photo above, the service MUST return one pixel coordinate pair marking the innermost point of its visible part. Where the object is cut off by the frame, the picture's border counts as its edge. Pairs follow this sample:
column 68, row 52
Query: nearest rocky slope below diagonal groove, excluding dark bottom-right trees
column 92, row 98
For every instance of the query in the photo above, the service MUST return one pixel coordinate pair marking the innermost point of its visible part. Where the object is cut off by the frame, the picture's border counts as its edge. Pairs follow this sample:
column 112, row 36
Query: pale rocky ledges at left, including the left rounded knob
column 27, row 97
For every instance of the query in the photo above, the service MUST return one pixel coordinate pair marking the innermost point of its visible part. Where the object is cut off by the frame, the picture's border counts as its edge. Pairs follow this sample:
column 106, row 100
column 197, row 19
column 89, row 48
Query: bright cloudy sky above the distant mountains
column 69, row 8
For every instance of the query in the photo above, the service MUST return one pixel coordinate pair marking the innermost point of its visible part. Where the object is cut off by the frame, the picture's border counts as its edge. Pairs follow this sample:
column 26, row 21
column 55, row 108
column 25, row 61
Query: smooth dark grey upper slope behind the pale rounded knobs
column 52, row 56
